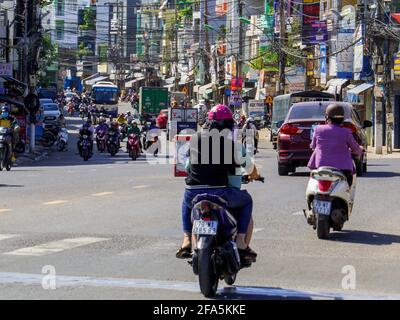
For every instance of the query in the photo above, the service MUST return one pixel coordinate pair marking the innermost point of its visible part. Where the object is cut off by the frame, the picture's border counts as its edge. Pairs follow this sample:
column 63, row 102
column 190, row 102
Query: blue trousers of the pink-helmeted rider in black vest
column 237, row 199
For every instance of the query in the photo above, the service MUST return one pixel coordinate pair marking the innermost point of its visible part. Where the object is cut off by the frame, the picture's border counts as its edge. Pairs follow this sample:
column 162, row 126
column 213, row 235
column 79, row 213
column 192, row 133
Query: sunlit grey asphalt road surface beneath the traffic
column 110, row 229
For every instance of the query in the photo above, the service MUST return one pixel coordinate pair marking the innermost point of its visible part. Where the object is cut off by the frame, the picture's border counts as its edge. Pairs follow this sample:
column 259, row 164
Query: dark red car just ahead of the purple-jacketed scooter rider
column 295, row 133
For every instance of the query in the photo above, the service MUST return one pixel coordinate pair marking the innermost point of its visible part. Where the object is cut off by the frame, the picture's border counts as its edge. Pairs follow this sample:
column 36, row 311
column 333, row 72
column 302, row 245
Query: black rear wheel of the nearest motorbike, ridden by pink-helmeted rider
column 208, row 280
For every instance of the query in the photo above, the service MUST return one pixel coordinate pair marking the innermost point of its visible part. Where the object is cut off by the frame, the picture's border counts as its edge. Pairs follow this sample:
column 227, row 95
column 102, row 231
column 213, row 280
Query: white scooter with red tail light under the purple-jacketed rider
column 330, row 200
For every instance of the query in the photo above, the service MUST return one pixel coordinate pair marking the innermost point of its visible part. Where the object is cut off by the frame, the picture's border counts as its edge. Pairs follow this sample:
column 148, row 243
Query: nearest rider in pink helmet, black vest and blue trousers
column 217, row 179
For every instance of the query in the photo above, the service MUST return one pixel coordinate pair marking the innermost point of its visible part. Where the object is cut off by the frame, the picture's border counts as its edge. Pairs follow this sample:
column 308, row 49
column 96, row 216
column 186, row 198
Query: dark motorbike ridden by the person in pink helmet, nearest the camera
column 215, row 254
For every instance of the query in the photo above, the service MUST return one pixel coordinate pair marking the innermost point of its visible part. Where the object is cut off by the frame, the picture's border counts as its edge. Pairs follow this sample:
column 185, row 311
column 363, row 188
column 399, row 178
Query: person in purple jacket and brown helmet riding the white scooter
column 332, row 144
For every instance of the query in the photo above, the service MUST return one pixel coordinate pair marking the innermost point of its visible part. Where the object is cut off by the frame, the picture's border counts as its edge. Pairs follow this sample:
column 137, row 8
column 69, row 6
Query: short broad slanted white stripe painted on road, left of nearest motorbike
column 55, row 246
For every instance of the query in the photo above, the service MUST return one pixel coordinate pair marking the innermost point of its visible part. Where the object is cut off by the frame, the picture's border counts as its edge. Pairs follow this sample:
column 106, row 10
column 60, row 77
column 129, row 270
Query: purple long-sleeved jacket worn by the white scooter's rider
column 333, row 146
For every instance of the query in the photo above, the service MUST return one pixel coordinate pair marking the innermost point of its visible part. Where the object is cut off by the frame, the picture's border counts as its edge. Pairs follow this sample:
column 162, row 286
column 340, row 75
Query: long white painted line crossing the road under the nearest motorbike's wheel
column 78, row 281
